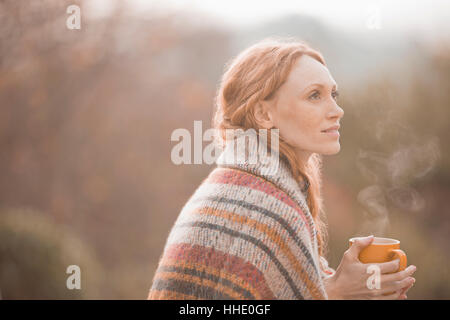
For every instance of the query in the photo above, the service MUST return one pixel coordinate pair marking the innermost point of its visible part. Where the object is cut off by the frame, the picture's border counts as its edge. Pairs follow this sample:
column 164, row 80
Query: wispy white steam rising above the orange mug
column 391, row 175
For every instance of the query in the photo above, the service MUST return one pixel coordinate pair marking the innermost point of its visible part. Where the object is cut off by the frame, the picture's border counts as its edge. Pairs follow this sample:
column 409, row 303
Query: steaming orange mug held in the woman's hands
column 382, row 250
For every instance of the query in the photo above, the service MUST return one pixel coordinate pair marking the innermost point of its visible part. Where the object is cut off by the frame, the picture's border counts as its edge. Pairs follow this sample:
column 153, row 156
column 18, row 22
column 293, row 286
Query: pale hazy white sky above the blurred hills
column 424, row 16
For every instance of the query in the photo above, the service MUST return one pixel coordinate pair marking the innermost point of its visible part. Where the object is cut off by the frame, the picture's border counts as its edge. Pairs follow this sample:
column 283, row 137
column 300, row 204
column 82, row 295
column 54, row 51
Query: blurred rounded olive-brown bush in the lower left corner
column 34, row 256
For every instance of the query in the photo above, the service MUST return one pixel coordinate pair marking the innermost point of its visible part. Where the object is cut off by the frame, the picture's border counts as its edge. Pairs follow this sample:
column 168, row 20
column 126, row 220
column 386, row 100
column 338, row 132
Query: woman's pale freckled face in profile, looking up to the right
column 306, row 106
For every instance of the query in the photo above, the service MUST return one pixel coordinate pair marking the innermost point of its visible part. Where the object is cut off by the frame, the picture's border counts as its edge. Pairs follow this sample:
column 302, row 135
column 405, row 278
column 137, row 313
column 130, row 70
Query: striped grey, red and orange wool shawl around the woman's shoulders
column 245, row 233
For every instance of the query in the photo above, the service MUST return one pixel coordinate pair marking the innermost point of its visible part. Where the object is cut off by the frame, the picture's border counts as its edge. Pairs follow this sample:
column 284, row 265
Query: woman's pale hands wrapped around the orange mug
column 350, row 279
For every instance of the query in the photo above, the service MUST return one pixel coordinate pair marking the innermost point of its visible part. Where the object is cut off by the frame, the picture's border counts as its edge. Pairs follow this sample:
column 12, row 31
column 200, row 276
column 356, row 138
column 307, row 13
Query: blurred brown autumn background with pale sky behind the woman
column 86, row 117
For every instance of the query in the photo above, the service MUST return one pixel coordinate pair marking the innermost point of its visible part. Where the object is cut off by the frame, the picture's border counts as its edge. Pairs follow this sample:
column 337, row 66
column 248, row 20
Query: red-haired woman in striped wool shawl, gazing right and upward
column 252, row 233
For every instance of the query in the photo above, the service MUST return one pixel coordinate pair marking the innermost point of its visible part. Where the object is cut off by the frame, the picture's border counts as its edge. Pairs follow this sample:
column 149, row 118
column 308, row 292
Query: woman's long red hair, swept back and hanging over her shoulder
column 255, row 75
